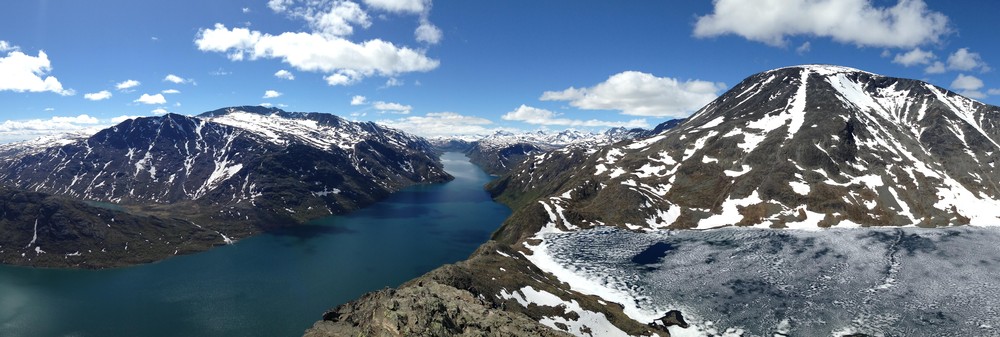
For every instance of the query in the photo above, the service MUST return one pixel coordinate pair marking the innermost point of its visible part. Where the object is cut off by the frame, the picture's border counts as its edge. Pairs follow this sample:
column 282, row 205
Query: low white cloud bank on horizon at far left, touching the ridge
column 16, row 130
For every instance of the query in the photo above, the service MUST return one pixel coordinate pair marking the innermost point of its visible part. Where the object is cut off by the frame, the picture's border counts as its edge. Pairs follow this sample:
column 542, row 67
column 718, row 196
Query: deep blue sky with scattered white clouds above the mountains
column 447, row 67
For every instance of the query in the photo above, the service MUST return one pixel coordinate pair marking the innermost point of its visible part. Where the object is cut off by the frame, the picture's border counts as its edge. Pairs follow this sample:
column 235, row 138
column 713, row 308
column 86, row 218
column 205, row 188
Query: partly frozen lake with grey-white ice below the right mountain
column 753, row 282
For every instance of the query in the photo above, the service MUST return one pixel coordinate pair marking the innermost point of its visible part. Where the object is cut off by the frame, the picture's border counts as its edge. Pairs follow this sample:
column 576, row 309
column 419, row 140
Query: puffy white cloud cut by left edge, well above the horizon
column 20, row 72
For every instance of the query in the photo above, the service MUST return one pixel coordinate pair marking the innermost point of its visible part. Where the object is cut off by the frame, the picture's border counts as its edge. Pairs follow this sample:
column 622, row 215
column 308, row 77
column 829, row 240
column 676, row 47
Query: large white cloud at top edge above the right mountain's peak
column 907, row 24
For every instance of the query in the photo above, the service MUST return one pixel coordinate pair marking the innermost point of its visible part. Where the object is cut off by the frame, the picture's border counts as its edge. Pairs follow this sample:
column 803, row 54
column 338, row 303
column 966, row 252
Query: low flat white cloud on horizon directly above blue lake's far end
column 441, row 124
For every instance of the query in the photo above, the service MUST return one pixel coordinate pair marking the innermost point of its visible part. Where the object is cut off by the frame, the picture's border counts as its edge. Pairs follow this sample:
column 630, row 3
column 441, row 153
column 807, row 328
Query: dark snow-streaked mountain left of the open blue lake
column 236, row 170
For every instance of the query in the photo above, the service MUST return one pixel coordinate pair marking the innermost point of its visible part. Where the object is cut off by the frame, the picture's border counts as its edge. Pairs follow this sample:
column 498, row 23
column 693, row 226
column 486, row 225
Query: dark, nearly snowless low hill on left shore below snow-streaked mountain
column 54, row 231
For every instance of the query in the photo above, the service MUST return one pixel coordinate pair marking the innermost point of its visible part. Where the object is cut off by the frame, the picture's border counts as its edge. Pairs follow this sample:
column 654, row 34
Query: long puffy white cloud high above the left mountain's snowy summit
column 346, row 61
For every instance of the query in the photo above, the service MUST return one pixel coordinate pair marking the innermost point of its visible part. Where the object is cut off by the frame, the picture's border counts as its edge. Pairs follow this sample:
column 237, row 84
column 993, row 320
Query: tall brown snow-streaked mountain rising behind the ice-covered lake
column 798, row 147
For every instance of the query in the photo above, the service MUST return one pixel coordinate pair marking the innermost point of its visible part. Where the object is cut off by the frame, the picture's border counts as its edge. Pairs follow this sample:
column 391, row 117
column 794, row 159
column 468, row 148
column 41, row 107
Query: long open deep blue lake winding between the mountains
column 274, row 284
